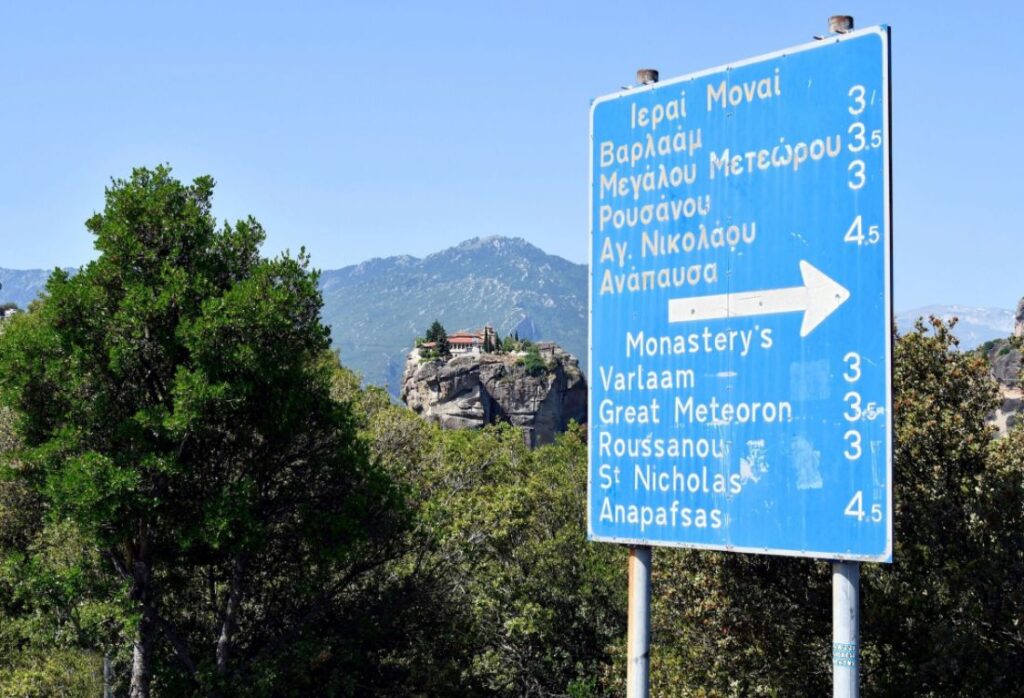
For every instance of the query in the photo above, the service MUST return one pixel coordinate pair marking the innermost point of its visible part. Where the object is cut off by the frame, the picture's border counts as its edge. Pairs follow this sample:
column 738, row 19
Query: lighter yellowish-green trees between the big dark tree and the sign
column 499, row 593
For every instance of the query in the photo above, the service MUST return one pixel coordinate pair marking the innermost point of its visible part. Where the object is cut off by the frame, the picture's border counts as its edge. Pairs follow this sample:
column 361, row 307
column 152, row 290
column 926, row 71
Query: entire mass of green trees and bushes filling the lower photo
column 194, row 488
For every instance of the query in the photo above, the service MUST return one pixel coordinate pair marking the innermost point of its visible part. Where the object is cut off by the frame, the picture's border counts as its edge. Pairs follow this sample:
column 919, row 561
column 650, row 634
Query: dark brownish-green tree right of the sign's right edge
column 940, row 620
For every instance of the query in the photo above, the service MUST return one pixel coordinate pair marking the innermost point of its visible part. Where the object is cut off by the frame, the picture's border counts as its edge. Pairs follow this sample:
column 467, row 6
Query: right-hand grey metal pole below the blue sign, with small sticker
column 846, row 630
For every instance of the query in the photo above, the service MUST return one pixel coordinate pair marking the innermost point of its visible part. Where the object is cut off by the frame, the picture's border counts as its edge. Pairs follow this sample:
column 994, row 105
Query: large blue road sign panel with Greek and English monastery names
column 741, row 308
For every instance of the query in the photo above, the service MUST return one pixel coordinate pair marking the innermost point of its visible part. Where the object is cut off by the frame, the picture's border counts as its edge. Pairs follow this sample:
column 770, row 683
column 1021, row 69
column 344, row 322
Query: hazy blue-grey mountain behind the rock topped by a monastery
column 376, row 309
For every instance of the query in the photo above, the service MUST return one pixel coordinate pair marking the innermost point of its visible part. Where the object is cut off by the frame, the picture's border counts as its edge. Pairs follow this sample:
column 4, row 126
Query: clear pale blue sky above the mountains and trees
column 374, row 129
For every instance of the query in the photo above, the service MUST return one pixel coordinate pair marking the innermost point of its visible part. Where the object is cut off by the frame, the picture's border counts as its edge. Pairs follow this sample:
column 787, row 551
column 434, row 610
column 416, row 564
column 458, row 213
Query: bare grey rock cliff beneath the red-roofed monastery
column 474, row 390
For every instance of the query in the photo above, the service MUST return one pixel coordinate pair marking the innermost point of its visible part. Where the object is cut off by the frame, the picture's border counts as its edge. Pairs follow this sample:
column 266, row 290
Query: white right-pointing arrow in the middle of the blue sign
column 818, row 299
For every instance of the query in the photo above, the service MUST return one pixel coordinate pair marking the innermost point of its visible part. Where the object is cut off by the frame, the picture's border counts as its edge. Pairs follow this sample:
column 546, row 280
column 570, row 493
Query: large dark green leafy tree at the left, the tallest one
column 174, row 403
